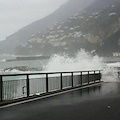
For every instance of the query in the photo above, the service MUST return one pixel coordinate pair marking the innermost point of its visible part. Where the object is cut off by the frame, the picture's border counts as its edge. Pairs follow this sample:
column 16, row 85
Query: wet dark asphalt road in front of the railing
column 101, row 102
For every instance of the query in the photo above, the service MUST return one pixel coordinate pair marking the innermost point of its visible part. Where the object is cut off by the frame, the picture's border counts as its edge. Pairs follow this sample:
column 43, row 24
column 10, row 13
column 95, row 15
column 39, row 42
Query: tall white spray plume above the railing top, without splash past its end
column 83, row 61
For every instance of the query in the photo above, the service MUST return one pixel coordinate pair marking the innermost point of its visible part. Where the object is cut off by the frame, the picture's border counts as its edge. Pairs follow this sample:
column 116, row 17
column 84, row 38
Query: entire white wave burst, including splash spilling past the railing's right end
column 83, row 61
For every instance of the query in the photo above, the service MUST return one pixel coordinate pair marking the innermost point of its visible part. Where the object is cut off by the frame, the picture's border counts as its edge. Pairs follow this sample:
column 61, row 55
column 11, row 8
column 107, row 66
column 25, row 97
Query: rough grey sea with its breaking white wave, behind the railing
column 82, row 61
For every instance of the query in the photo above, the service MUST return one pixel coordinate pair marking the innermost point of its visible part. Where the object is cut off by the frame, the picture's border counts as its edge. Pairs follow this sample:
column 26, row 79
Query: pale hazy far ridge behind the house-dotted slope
column 24, row 34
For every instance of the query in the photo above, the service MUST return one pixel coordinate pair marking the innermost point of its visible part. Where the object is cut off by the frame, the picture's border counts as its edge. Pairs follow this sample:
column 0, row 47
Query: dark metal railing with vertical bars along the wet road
column 13, row 86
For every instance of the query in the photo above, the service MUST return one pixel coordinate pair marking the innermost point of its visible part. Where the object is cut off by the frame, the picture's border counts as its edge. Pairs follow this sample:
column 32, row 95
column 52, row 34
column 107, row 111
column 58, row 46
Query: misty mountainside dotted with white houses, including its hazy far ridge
column 93, row 26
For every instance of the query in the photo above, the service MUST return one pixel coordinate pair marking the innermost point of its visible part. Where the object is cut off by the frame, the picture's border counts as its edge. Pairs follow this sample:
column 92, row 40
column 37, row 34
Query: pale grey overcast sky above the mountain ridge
column 15, row 14
